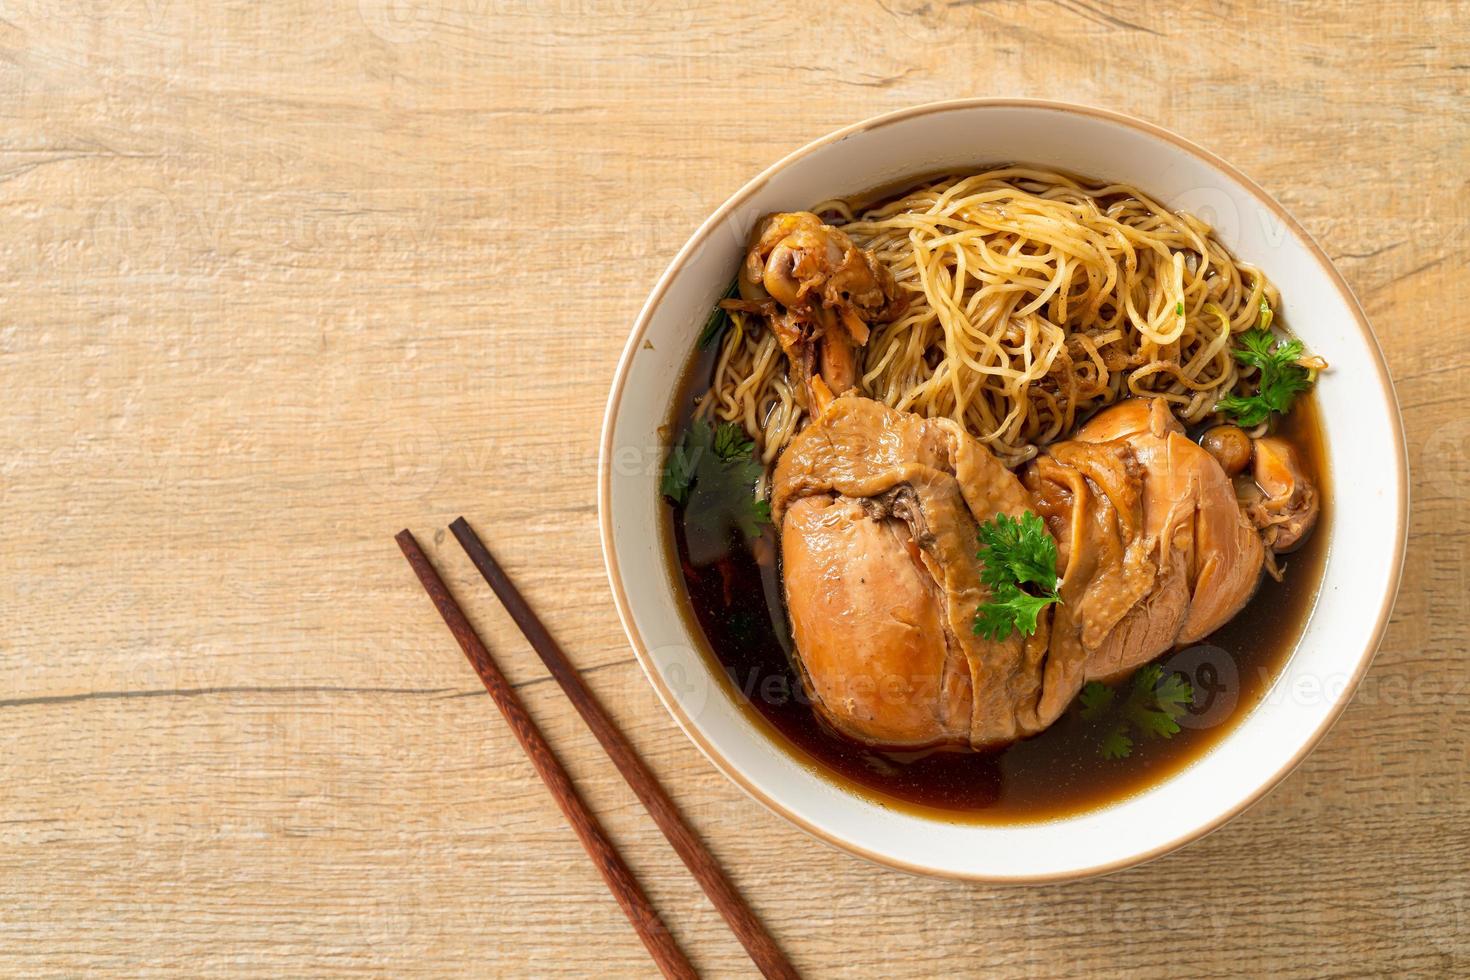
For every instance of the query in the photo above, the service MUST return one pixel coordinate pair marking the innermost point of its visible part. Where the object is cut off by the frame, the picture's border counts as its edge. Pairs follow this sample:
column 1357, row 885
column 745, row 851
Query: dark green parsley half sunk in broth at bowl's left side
column 718, row 471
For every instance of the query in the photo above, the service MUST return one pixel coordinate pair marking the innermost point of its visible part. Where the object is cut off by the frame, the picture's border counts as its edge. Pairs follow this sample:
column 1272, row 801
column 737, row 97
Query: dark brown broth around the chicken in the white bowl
column 736, row 600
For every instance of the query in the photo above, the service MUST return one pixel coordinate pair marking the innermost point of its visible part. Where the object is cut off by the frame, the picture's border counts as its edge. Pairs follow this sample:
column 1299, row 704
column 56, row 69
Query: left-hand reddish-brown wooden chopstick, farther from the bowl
column 623, row 884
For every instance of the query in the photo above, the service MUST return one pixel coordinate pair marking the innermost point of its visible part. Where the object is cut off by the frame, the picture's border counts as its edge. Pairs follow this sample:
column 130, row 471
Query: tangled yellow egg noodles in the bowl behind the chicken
column 1034, row 299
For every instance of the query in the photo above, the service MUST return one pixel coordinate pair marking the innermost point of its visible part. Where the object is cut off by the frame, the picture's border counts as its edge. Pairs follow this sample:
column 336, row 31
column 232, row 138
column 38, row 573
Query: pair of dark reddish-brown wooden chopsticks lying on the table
column 620, row 879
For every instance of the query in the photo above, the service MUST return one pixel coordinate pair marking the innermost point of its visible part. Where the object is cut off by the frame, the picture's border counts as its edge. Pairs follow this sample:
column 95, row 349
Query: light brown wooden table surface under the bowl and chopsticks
column 282, row 278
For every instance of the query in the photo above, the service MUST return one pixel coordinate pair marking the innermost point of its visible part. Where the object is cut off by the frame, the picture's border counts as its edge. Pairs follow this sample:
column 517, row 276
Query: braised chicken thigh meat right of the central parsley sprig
column 1158, row 550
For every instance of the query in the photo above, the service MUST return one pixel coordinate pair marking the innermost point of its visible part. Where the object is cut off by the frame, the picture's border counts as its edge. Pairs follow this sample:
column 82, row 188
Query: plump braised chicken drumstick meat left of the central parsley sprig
column 878, row 514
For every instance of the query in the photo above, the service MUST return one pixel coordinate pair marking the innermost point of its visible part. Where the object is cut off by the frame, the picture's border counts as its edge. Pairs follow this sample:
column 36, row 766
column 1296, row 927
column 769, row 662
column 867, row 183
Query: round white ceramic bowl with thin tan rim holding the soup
column 1365, row 447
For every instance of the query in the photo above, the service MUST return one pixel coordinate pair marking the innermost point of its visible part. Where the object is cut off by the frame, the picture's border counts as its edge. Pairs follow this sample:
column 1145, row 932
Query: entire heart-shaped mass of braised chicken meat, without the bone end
column 880, row 511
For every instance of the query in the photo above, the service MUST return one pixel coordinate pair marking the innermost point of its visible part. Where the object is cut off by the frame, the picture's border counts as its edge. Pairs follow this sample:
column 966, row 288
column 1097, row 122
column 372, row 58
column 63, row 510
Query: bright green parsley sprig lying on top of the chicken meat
column 1015, row 553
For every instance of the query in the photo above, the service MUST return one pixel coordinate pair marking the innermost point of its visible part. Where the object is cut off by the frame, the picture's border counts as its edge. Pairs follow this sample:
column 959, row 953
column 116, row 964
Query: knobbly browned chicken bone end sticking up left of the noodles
column 820, row 293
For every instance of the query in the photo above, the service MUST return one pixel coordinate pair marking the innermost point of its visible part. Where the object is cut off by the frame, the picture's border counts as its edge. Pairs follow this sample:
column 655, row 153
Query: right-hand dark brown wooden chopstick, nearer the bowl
column 752, row 935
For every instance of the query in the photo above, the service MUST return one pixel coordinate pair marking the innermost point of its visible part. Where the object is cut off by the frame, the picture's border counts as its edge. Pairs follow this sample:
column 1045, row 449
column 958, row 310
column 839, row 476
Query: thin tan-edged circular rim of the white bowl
column 886, row 120
